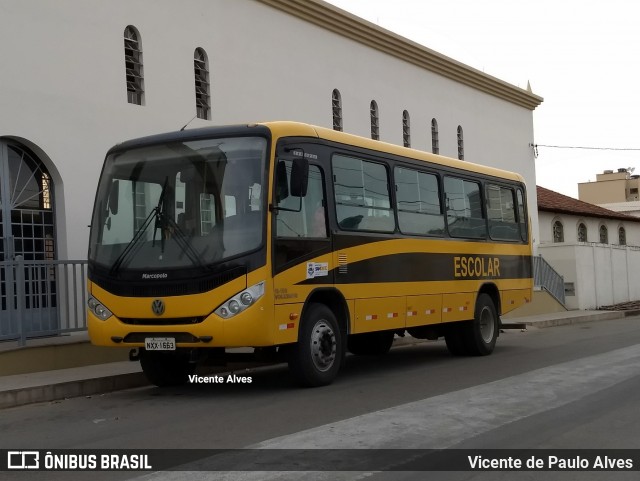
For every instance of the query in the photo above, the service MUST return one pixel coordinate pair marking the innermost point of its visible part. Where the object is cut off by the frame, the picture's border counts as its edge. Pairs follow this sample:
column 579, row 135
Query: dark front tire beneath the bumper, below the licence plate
column 167, row 368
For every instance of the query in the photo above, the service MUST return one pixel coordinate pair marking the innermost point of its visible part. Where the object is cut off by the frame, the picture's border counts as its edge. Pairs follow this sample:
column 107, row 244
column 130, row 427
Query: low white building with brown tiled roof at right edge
column 596, row 250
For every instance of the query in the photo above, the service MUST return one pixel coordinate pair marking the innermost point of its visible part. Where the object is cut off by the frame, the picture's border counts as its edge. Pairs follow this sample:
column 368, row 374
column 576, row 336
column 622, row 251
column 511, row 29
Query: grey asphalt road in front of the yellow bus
column 572, row 387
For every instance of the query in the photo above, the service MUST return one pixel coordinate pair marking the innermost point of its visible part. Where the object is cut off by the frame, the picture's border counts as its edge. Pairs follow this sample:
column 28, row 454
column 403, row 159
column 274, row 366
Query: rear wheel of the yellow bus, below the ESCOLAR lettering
column 480, row 335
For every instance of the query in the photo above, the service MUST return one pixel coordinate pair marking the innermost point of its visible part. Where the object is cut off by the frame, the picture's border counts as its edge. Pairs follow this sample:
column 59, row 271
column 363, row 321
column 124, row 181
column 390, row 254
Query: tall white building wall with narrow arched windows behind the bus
column 63, row 88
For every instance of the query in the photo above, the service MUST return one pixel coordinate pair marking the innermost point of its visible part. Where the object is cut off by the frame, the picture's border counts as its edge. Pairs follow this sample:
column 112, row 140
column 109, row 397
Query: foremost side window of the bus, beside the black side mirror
column 311, row 220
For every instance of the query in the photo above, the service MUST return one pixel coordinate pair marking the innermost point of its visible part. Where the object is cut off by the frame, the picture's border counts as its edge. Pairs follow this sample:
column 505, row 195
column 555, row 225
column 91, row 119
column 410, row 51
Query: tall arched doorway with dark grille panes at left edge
column 27, row 233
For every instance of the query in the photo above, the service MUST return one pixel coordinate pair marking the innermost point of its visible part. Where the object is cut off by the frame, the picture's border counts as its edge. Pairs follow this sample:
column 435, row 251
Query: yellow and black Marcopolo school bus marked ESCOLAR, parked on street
column 299, row 241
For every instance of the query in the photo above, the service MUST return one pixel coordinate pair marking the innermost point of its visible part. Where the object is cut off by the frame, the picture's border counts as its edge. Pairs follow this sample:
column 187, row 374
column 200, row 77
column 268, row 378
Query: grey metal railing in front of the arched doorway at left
column 42, row 298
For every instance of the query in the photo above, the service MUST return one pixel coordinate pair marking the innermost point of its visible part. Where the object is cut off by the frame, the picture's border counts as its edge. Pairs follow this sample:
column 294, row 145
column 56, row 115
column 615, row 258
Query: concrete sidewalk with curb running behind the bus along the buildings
column 57, row 384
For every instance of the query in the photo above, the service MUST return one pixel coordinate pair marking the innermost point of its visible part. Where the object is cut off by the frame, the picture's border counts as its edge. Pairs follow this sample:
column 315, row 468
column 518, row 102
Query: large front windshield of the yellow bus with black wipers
column 180, row 204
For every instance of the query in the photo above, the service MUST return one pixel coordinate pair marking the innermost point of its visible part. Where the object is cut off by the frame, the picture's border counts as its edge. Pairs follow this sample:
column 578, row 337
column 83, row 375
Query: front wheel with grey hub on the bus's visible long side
column 317, row 356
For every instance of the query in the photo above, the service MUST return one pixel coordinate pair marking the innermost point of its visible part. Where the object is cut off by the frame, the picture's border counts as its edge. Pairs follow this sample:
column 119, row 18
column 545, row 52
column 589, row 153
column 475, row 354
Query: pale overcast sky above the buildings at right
column 582, row 57
